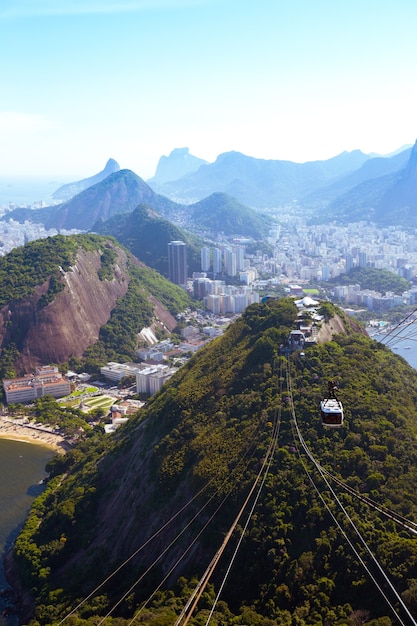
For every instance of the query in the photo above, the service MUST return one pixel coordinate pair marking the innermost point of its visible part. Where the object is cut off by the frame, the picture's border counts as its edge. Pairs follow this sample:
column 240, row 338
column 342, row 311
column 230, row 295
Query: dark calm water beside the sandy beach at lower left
column 22, row 468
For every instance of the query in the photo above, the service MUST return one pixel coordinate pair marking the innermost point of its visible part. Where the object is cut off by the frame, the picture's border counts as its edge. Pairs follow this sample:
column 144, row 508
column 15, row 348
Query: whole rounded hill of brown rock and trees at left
column 65, row 297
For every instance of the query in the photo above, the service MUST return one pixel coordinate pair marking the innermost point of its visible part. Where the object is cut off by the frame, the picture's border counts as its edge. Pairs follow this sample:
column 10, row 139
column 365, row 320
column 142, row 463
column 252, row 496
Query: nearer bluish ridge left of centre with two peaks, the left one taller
column 123, row 191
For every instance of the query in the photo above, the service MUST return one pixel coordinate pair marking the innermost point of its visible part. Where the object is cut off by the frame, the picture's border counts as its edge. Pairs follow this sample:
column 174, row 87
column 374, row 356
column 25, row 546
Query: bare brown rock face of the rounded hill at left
column 69, row 324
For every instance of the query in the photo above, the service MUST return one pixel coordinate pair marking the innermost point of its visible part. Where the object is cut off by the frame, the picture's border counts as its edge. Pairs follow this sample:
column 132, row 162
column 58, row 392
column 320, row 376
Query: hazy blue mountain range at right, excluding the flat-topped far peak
column 350, row 187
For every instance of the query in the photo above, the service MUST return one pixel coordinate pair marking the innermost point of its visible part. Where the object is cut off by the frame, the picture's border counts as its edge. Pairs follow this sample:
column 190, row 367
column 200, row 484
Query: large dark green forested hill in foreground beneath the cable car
column 160, row 496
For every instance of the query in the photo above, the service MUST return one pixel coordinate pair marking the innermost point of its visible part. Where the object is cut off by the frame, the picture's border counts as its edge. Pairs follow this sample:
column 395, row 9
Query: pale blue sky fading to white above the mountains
column 85, row 80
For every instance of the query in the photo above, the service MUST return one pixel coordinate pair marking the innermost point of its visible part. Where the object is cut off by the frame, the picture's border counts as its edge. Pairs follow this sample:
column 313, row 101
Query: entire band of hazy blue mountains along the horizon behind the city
column 228, row 196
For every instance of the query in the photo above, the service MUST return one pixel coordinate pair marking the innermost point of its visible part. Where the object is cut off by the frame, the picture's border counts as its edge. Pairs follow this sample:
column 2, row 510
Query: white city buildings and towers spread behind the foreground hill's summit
column 306, row 254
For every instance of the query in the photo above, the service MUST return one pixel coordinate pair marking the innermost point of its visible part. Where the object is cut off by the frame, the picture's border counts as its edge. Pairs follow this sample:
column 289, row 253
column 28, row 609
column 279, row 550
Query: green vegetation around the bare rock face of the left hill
column 45, row 261
